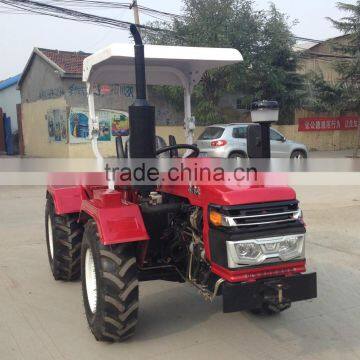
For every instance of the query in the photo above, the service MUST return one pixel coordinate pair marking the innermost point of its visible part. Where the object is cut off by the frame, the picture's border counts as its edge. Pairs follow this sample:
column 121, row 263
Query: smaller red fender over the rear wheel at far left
column 67, row 200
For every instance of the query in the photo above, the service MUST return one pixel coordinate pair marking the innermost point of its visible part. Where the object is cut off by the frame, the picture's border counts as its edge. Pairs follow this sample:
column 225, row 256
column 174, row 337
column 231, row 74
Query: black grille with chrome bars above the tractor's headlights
column 261, row 215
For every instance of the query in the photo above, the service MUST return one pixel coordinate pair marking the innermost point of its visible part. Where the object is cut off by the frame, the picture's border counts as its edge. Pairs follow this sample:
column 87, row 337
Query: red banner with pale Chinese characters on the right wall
column 329, row 124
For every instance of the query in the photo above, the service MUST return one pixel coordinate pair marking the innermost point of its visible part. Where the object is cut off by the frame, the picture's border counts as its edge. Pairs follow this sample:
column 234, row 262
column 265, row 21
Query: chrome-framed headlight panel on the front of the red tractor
column 258, row 251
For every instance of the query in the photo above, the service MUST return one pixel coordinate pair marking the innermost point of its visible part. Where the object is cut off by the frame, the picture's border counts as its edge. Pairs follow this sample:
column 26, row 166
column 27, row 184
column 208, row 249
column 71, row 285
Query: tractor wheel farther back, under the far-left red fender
column 63, row 239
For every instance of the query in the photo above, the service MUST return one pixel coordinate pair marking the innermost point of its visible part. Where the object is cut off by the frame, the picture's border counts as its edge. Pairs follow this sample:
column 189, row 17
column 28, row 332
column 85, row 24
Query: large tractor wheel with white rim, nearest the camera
column 110, row 287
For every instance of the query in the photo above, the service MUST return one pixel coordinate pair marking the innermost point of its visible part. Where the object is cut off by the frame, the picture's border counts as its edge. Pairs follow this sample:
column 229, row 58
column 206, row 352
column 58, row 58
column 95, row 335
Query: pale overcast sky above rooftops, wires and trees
column 19, row 34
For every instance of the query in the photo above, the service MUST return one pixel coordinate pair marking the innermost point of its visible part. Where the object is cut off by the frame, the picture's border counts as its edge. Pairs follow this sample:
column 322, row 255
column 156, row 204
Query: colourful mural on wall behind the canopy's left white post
column 112, row 124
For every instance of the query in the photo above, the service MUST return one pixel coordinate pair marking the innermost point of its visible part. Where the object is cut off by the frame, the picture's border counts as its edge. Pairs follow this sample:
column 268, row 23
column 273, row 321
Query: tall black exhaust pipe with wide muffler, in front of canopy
column 141, row 114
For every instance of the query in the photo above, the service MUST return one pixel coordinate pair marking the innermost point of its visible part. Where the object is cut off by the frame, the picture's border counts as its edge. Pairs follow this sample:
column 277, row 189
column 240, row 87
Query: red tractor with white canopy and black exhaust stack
column 246, row 244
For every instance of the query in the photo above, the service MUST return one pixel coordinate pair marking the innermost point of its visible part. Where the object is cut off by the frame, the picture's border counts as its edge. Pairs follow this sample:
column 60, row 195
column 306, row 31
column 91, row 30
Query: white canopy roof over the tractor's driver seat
column 165, row 65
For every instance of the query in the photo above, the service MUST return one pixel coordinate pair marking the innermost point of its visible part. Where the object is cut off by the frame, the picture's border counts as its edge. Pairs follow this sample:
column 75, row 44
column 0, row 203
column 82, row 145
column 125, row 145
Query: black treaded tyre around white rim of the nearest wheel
column 119, row 294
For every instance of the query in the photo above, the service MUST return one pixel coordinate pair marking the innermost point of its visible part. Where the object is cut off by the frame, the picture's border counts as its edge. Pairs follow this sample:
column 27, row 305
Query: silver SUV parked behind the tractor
column 230, row 141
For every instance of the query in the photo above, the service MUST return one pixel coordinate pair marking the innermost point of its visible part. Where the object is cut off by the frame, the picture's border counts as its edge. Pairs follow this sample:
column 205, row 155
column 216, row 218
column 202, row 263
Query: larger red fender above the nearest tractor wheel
column 118, row 220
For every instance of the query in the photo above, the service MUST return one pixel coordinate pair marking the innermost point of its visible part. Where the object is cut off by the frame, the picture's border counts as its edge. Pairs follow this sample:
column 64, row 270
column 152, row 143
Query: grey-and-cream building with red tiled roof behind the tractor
column 54, row 107
